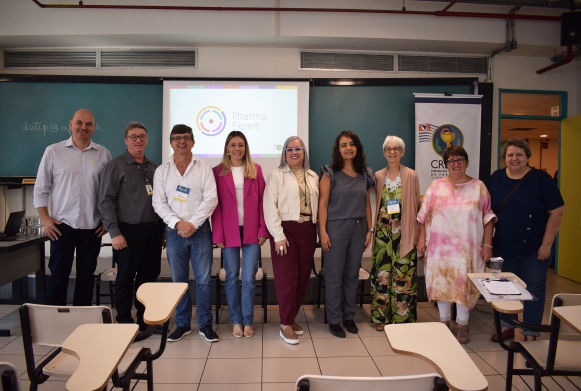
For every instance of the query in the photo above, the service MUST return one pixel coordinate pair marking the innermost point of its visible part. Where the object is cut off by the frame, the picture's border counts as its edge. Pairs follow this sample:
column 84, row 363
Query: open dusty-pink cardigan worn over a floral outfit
column 410, row 199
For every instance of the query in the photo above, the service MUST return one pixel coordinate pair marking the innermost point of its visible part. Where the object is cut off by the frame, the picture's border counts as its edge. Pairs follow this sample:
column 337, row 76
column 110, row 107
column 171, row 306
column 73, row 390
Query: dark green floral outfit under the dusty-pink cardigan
column 393, row 277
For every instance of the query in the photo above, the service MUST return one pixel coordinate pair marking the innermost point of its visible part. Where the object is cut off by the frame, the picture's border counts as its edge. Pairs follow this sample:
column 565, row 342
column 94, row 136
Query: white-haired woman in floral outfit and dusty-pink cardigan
column 393, row 269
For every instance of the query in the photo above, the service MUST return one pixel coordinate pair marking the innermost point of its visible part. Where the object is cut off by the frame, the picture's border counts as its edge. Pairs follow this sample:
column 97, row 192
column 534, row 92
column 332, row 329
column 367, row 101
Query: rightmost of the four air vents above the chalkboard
column 442, row 64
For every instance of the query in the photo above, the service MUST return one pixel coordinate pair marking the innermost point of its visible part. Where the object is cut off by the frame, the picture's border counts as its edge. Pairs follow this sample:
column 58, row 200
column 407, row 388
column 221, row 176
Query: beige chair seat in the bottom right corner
column 567, row 358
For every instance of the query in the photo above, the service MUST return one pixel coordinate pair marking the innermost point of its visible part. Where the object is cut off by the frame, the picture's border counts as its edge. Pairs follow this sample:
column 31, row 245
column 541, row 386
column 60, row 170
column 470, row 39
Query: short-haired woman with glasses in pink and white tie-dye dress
column 456, row 225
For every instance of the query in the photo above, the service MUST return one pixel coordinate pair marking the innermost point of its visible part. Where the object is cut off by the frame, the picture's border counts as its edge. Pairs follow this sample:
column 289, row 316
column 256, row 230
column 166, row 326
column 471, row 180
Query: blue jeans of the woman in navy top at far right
column 534, row 273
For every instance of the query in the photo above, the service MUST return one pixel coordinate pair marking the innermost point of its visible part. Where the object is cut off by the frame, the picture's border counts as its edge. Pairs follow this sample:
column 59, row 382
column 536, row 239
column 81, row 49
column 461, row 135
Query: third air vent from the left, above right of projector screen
column 346, row 61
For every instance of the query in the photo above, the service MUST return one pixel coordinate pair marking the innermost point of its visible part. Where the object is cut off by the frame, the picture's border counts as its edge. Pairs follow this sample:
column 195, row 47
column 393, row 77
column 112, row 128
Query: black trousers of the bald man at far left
column 62, row 254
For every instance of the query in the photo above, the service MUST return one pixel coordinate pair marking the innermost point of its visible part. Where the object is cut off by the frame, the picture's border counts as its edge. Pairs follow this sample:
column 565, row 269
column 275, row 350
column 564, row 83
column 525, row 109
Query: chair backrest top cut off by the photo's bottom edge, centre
column 424, row 382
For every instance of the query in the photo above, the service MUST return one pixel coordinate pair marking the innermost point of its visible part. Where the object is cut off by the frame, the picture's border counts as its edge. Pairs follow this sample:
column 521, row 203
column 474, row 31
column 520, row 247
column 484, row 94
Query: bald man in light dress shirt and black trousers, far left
column 70, row 171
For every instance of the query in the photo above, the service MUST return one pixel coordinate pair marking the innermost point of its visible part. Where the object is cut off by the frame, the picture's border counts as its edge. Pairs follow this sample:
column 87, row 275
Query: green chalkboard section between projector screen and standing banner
column 372, row 112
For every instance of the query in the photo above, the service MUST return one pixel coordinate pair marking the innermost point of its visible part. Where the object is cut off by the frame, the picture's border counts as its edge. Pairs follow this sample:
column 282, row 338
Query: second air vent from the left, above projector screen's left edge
column 153, row 58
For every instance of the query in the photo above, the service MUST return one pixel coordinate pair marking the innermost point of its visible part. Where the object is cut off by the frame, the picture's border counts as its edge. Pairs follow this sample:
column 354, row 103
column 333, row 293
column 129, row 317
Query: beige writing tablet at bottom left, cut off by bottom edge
column 99, row 348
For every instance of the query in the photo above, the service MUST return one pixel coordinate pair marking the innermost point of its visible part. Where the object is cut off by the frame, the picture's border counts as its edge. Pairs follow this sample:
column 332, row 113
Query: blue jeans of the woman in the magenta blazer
column 250, row 254
